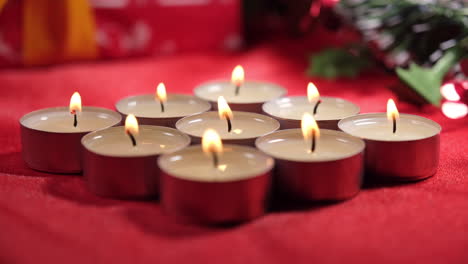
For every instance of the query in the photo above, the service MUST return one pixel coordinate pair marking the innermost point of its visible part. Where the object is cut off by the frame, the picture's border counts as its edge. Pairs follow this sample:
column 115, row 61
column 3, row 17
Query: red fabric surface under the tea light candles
column 47, row 218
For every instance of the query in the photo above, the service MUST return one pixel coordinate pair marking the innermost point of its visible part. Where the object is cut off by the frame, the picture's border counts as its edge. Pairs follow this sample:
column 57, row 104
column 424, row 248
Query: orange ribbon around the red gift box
column 57, row 31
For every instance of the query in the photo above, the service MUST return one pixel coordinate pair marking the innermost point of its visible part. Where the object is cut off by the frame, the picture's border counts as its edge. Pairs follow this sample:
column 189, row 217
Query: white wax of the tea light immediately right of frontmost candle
column 289, row 144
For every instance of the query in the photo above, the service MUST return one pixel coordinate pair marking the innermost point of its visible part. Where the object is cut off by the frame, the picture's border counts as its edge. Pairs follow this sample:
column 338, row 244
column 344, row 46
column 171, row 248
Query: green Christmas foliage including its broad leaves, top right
column 432, row 35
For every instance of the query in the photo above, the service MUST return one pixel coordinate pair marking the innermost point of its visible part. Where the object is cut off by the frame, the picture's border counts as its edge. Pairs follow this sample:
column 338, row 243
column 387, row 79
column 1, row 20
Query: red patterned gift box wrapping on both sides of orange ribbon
column 140, row 27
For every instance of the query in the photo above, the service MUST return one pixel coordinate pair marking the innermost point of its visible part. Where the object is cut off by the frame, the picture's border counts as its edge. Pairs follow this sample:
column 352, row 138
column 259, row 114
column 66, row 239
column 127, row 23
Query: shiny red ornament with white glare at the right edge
column 455, row 98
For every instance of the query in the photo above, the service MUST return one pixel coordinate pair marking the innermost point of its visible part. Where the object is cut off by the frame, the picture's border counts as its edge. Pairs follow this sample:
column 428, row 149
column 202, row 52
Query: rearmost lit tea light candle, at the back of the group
column 241, row 95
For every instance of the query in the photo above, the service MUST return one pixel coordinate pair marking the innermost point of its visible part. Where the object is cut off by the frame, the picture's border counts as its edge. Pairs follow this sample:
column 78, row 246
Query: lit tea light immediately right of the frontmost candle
column 313, row 164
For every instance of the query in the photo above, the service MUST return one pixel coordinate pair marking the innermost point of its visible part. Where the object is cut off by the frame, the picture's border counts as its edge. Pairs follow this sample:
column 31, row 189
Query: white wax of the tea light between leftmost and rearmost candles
column 177, row 105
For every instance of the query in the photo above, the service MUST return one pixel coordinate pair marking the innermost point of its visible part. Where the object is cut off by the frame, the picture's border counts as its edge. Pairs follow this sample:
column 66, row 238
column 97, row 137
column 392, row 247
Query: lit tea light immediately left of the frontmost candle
column 121, row 162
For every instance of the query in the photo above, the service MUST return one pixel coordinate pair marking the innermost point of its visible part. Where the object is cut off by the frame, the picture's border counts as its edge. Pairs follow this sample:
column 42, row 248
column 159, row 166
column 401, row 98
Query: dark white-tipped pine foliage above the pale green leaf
column 417, row 27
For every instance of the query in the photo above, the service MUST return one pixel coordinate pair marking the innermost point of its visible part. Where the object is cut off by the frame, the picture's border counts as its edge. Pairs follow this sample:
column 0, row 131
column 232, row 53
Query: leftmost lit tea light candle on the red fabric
column 50, row 137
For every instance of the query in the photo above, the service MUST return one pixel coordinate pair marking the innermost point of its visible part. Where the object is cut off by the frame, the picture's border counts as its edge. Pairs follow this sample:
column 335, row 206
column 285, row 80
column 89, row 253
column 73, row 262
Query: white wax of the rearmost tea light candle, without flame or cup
column 250, row 91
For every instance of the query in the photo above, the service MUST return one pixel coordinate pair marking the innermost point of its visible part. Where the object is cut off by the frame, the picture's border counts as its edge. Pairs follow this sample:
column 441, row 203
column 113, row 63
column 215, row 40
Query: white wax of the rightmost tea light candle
column 375, row 126
